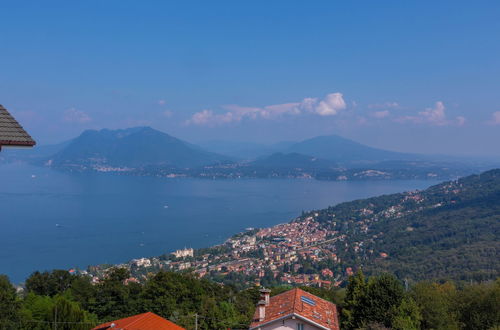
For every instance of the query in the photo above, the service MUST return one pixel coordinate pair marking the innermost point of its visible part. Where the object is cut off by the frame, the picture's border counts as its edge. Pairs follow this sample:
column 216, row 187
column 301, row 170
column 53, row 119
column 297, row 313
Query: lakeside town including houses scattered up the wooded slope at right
column 319, row 248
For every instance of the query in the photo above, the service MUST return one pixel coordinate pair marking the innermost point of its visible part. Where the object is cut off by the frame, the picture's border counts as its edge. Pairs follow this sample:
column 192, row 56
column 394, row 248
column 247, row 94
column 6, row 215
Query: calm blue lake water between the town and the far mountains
column 50, row 219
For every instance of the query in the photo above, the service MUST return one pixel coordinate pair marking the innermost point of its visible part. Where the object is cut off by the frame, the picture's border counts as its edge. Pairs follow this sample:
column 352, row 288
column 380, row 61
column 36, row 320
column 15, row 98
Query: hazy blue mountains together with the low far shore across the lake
column 148, row 150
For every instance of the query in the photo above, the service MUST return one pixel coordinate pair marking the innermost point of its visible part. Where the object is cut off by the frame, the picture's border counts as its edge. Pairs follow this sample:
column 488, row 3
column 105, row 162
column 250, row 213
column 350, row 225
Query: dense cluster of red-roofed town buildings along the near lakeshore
column 284, row 254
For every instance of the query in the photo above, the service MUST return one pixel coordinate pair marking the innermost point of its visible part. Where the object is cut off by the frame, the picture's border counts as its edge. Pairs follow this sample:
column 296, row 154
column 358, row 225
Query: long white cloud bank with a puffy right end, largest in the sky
column 329, row 106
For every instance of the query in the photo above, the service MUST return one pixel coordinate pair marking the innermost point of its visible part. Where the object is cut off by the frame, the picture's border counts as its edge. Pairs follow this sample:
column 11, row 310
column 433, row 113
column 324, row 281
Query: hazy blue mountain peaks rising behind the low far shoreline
column 142, row 146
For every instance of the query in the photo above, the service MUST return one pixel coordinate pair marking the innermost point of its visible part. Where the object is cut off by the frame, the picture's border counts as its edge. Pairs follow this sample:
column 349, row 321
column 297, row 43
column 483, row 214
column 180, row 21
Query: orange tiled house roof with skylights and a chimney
column 301, row 304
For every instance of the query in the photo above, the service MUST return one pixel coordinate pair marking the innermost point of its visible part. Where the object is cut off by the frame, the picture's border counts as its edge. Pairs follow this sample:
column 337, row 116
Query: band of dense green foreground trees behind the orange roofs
column 381, row 302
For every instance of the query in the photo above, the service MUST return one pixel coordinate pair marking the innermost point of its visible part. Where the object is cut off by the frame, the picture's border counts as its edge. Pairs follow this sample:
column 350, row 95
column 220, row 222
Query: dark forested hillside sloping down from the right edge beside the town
column 451, row 230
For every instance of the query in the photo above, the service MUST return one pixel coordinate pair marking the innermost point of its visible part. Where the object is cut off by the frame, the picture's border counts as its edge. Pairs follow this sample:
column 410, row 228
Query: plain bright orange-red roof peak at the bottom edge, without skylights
column 145, row 321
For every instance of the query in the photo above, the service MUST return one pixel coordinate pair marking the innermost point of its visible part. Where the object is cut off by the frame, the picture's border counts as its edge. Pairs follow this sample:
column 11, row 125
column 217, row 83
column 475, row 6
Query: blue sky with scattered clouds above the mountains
column 420, row 76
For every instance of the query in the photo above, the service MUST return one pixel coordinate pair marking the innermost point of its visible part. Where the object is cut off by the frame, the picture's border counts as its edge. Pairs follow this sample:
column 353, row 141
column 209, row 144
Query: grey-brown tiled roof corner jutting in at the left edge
column 11, row 133
